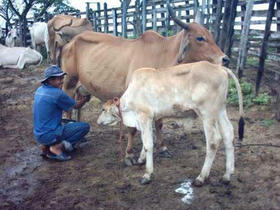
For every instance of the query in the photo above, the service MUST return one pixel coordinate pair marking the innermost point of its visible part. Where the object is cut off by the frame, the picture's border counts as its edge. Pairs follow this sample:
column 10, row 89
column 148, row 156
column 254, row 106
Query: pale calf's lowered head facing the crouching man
column 110, row 113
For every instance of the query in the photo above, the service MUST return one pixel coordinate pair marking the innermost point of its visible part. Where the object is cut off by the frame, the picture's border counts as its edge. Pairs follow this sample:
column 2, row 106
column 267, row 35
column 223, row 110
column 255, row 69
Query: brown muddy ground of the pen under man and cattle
column 96, row 179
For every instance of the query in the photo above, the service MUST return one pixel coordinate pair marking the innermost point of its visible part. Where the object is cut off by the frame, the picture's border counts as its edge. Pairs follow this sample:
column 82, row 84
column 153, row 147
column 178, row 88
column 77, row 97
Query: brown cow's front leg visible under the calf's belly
column 163, row 150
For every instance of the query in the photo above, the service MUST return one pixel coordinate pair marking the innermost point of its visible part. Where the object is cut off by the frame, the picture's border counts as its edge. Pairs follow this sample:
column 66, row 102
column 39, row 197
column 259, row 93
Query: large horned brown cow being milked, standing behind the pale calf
column 104, row 63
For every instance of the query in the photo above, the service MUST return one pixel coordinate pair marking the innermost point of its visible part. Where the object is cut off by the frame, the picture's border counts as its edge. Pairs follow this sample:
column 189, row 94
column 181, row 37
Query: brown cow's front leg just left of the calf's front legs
column 129, row 156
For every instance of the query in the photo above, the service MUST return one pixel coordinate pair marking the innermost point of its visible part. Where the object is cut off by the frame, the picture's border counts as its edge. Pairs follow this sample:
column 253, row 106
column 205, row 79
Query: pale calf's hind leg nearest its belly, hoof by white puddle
column 213, row 138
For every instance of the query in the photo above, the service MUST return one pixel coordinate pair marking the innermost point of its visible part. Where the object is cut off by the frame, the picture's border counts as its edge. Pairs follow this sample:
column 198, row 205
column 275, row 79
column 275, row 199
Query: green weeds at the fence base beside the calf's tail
column 249, row 98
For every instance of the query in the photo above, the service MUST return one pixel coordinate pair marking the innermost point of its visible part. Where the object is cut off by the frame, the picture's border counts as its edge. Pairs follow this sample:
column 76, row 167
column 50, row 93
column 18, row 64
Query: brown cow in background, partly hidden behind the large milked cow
column 66, row 22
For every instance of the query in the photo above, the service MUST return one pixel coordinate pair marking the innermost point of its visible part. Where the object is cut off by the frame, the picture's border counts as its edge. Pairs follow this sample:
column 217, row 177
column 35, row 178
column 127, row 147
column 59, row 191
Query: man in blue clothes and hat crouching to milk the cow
column 49, row 103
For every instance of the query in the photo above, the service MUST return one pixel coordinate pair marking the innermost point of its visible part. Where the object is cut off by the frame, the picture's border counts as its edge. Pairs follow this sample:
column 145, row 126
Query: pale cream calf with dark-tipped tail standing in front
column 172, row 92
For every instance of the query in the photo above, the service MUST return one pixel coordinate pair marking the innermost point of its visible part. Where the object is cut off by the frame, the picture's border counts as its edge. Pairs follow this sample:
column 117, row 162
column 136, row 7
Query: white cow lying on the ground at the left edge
column 18, row 57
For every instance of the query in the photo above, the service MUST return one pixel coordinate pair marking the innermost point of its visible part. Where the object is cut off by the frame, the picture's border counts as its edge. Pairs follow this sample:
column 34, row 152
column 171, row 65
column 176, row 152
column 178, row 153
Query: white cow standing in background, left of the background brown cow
column 39, row 35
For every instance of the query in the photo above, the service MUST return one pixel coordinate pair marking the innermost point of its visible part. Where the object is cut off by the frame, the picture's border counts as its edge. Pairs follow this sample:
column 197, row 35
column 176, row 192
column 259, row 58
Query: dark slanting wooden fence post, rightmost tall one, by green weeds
column 270, row 14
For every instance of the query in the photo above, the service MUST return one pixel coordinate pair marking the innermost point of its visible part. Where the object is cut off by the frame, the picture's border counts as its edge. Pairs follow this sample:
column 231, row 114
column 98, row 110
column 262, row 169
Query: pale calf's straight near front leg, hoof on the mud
column 147, row 140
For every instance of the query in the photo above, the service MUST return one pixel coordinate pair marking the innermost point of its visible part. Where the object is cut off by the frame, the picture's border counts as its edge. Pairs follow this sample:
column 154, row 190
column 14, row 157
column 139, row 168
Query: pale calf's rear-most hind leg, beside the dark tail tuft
column 227, row 134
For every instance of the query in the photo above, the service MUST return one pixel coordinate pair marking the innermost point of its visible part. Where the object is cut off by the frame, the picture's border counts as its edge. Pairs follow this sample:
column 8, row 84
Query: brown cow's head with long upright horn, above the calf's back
column 197, row 44
